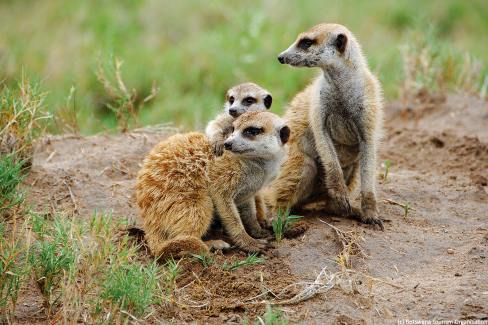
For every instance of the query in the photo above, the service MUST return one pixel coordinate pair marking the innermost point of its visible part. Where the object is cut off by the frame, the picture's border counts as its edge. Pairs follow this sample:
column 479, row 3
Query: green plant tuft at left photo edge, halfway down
column 10, row 178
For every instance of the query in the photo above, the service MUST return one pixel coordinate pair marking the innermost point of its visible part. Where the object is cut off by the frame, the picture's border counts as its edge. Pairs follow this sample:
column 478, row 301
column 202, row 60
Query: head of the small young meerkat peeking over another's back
column 247, row 97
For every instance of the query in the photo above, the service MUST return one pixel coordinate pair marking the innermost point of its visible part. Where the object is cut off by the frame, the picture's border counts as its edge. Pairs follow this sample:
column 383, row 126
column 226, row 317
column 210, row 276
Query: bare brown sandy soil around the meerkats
column 431, row 264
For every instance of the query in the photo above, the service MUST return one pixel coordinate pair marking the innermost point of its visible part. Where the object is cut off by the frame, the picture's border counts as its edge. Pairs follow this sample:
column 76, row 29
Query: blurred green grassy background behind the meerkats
column 195, row 50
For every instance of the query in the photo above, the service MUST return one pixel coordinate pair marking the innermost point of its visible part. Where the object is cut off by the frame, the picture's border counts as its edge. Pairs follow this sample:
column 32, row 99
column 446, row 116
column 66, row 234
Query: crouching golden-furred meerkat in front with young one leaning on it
column 182, row 186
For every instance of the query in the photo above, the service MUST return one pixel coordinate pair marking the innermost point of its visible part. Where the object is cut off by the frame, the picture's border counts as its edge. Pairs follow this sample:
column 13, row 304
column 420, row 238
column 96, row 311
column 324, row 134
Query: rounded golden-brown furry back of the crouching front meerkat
column 172, row 188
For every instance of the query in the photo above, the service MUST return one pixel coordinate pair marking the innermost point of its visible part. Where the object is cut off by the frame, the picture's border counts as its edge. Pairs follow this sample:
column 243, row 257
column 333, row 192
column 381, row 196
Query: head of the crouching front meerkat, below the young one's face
column 258, row 134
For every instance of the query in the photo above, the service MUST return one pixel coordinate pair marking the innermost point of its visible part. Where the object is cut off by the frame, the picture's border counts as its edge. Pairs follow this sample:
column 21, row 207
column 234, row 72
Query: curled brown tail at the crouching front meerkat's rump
column 179, row 246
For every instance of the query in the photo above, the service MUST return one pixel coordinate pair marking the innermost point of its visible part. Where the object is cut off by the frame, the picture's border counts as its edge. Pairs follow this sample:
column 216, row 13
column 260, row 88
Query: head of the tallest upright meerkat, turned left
column 324, row 45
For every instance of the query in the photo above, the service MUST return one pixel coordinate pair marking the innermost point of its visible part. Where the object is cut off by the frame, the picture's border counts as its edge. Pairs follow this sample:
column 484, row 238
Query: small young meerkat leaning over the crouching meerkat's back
column 245, row 97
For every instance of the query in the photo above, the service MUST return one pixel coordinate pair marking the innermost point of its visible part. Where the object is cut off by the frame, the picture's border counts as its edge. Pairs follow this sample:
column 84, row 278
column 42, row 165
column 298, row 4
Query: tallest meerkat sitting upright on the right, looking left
column 336, row 123
